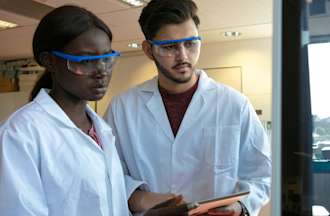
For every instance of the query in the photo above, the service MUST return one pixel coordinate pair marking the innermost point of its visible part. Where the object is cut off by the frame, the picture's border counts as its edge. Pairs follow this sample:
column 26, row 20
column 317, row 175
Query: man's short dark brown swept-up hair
column 158, row 13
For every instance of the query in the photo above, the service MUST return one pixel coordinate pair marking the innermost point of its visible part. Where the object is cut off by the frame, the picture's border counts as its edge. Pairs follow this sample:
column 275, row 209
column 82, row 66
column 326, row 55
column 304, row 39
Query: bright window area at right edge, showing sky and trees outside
column 319, row 65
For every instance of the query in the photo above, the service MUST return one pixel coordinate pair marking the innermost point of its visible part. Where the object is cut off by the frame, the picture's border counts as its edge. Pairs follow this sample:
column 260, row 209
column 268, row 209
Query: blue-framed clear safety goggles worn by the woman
column 87, row 65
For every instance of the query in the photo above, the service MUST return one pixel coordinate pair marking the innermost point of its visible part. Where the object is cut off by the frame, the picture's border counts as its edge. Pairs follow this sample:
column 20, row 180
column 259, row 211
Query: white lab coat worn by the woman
column 48, row 166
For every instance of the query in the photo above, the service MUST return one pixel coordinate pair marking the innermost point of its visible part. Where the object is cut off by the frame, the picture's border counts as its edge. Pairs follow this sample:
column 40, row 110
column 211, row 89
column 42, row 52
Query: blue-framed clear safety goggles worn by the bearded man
column 168, row 48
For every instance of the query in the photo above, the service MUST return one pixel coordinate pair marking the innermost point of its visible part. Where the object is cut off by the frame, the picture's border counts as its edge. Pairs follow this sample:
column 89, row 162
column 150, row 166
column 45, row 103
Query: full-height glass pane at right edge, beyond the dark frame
column 319, row 65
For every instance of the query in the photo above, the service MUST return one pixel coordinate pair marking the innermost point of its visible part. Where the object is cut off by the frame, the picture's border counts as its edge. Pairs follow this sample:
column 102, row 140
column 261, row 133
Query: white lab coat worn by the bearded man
column 220, row 144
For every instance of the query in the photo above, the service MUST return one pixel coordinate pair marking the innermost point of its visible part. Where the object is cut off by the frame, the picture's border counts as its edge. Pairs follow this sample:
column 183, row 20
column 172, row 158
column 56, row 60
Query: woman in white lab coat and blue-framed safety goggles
column 57, row 156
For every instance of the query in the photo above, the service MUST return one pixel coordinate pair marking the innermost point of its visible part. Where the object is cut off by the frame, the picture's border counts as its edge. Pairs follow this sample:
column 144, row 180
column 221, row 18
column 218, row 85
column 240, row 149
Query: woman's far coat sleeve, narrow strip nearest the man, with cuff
column 110, row 117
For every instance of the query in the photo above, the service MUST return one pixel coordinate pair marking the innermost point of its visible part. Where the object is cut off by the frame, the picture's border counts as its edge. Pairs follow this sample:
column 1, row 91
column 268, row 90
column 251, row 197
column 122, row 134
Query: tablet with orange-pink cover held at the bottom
column 206, row 205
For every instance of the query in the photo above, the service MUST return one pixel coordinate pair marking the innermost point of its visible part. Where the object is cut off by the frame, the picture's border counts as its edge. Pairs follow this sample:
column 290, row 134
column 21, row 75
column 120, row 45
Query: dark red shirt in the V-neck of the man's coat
column 176, row 105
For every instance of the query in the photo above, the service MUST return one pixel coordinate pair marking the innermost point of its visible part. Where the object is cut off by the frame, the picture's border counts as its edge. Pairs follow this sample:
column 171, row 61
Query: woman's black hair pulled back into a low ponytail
column 58, row 28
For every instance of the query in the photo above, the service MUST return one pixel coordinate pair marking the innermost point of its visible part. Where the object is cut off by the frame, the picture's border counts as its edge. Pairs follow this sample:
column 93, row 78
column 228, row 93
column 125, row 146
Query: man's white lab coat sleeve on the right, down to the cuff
column 254, row 161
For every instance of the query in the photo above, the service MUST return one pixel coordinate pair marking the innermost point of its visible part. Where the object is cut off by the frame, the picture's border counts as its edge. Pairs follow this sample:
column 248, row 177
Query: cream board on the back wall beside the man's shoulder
column 231, row 76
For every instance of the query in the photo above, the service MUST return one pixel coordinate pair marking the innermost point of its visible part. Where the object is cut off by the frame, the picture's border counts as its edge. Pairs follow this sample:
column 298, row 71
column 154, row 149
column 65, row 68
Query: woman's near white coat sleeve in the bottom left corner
column 21, row 189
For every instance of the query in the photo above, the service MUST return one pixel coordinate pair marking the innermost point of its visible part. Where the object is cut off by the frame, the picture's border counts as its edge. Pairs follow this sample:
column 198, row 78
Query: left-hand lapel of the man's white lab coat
column 156, row 106
